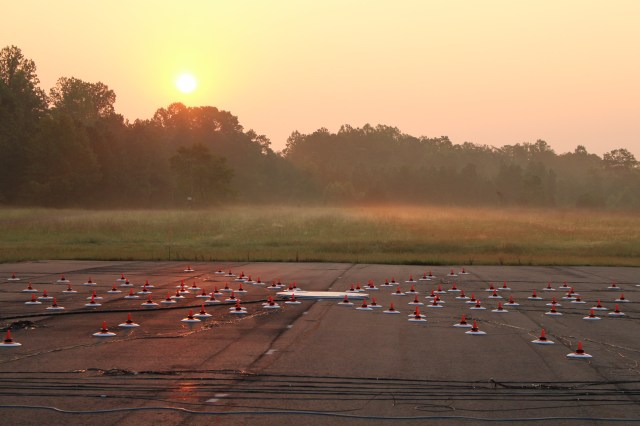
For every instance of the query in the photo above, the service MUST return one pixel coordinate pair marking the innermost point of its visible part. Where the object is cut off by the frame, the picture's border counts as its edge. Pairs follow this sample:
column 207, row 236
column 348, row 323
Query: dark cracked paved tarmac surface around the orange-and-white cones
column 319, row 361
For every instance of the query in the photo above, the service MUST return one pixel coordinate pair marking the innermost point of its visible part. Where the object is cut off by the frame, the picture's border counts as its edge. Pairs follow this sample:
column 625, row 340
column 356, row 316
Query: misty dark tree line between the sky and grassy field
column 70, row 148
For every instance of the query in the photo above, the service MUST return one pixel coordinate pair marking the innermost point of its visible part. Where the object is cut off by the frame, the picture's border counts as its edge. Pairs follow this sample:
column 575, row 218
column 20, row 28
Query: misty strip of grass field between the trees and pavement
column 400, row 235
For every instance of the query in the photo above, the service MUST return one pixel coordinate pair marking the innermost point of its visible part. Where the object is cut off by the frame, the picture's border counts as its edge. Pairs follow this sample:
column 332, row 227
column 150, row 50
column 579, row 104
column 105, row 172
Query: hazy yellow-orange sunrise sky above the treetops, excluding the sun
column 492, row 72
